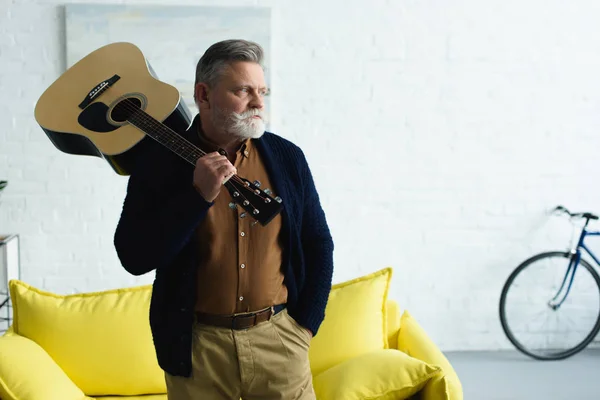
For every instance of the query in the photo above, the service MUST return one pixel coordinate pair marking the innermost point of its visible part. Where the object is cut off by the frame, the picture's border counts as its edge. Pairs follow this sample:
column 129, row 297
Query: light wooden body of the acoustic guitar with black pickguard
column 79, row 112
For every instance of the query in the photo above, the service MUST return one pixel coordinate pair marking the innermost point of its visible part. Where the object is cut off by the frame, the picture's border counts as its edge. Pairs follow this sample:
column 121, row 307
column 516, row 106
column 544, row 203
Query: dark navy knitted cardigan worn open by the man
column 161, row 212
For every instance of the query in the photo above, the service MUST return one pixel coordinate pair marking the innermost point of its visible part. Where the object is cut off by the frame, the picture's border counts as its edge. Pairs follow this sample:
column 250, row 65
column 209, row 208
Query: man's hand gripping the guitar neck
column 211, row 171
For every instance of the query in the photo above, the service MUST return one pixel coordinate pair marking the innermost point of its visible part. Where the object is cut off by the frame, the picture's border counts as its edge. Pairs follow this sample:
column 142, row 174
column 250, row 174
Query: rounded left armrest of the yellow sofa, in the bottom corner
column 27, row 372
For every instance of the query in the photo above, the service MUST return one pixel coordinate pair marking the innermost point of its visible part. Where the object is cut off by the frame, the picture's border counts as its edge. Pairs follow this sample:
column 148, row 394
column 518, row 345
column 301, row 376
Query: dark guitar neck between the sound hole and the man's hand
column 165, row 136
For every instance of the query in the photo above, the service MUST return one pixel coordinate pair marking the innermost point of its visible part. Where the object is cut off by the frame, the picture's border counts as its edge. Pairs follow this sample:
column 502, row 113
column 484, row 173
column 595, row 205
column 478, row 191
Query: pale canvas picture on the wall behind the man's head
column 173, row 38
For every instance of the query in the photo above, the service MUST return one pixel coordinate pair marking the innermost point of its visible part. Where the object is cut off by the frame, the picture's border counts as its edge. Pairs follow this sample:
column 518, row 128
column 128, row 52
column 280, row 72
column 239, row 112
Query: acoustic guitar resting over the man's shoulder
column 111, row 100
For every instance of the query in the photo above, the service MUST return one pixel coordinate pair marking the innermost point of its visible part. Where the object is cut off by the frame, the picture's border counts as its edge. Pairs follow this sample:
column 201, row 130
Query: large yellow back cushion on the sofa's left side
column 101, row 340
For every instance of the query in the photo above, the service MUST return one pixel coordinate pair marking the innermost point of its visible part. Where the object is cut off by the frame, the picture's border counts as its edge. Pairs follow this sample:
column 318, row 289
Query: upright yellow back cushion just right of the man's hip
column 355, row 321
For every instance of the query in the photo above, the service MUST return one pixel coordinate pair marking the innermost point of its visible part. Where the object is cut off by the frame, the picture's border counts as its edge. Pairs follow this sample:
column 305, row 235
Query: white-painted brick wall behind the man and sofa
column 438, row 133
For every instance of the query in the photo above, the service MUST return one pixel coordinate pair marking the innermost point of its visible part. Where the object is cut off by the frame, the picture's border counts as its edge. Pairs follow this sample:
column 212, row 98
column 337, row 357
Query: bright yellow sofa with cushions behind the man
column 99, row 345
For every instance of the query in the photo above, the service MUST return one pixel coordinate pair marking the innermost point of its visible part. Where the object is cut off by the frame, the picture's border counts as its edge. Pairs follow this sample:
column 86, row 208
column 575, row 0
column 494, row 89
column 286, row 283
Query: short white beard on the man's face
column 241, row 126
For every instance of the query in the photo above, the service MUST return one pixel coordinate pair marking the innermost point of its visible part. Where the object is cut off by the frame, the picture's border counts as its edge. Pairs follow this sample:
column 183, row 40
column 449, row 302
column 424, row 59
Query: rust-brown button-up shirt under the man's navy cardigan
column 240, row 260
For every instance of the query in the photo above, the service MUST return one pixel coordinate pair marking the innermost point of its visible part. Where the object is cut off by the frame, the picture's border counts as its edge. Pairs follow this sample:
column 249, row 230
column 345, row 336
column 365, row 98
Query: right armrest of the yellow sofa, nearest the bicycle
column 413, row 340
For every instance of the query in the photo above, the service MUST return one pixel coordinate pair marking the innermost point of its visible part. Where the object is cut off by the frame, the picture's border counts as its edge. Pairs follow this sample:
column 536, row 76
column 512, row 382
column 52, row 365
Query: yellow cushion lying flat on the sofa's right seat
column 386, row 374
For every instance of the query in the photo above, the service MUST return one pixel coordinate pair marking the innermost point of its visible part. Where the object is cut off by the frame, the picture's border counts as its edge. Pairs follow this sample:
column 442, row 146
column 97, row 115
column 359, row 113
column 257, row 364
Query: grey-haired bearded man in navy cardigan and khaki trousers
column 235, row 304
